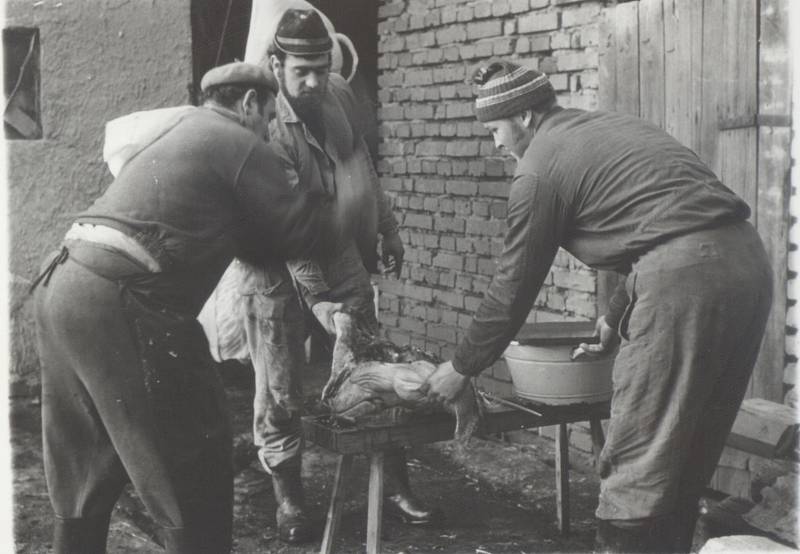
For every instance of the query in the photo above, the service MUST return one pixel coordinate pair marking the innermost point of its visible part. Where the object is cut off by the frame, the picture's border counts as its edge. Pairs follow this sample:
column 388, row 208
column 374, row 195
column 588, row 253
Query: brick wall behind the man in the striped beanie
column 448, row 183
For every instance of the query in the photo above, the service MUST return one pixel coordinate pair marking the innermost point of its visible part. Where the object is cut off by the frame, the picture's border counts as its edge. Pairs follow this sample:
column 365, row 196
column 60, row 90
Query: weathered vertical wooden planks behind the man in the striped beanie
column 715, row 75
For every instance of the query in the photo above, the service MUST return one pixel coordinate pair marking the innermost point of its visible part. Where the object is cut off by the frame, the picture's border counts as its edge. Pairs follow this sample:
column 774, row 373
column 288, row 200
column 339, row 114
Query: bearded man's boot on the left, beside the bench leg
column 293, row 524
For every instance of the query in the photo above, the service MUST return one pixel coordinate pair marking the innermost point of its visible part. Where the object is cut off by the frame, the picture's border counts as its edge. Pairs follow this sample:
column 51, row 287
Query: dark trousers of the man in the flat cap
column 129, row 394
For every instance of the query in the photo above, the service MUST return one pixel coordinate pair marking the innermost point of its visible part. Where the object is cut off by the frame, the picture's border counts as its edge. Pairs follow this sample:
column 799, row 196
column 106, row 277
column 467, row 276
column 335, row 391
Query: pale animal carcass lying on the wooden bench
column 369, row 376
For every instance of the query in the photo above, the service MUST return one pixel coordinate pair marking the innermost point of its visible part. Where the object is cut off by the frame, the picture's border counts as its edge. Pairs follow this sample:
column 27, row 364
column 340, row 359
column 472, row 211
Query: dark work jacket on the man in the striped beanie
column 606, row 187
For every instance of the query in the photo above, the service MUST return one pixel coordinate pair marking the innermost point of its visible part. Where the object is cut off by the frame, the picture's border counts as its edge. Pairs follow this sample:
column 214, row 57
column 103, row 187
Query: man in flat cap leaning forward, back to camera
column 129, row 391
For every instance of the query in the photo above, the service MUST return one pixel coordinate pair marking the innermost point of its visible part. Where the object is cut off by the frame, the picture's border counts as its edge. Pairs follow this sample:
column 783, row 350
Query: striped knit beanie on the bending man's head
column 506, row 89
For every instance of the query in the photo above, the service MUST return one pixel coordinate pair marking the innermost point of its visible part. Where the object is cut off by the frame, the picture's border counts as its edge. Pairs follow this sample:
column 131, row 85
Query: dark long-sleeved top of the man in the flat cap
column 205, row 191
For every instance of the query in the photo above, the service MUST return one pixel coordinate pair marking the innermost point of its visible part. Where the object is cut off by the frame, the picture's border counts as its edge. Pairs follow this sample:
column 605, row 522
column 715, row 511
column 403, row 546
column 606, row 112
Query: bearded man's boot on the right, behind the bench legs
column 400, row 501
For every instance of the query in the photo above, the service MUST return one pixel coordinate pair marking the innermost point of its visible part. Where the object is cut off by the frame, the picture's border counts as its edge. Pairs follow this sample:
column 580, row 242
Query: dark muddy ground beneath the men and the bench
column 497, row 497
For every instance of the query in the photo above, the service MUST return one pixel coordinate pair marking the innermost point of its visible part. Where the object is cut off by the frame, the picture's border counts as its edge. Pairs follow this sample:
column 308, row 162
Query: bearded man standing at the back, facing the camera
column 320, row 127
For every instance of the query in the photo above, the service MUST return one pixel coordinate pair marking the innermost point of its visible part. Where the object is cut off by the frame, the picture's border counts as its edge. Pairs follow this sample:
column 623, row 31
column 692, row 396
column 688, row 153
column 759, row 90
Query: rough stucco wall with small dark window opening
column 99, row 59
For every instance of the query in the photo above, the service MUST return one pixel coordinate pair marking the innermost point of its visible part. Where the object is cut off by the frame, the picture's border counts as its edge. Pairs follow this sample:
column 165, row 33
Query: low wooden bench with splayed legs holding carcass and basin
column 374, row 441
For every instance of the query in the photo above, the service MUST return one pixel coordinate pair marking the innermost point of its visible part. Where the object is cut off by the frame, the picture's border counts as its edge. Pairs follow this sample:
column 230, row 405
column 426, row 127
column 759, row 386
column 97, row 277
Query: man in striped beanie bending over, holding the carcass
column 620, row 194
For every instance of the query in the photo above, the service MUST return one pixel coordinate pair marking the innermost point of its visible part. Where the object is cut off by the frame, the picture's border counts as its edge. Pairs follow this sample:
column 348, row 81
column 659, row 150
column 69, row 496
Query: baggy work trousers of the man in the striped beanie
column 690, row 338
